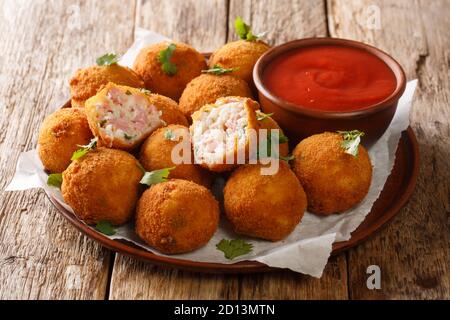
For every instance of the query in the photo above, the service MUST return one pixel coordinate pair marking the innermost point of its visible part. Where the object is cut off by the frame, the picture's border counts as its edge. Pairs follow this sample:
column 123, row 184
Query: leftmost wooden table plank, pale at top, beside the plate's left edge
column 42, row 43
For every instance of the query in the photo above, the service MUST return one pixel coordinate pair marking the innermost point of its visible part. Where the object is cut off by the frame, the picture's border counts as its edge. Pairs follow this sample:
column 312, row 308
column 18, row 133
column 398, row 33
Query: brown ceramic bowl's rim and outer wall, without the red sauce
column 300, row 122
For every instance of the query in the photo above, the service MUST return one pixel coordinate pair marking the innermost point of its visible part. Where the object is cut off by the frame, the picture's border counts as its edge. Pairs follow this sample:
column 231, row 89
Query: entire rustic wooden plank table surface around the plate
column 43, row 42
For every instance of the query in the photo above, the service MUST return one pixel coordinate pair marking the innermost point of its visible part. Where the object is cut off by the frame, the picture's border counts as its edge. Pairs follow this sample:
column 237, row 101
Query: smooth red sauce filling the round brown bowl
column 330, row 78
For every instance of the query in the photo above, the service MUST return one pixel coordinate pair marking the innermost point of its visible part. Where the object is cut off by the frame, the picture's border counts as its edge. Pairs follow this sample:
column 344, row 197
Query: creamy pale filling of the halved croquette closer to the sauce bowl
column 219, row 132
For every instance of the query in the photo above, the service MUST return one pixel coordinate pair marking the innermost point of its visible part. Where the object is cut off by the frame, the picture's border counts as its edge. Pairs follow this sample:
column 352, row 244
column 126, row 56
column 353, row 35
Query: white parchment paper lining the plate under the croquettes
column 307, row 248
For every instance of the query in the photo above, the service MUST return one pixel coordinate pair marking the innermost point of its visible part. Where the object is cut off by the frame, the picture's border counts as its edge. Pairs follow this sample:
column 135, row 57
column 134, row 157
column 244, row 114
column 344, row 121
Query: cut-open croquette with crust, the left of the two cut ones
column 122, row 117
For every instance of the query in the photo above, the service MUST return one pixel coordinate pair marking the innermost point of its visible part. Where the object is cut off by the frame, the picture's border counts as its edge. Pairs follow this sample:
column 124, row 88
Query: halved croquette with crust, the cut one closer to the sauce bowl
column 221, row 133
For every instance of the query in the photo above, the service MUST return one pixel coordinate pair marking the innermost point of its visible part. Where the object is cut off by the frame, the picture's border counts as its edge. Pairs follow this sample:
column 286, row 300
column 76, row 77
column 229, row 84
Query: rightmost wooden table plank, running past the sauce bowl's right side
column 413, row 251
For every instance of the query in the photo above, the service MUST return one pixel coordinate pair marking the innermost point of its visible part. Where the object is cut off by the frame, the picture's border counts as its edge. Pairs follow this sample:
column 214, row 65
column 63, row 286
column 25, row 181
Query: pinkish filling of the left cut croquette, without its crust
column 126, row 116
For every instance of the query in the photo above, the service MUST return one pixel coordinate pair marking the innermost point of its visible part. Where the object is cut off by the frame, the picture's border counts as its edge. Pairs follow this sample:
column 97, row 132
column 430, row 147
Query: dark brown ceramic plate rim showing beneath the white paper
column 395, row 194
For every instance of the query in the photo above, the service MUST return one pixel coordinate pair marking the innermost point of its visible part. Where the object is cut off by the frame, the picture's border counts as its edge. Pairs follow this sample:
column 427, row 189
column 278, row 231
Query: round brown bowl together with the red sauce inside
column 327, row 84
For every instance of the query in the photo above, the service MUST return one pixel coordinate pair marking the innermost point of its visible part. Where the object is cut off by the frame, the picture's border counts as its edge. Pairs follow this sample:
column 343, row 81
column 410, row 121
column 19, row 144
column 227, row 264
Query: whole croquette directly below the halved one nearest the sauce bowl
column 264, row 206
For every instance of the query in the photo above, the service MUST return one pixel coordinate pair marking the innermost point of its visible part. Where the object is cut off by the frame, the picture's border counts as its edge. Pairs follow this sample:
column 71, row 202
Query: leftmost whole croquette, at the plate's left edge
column 60, row 136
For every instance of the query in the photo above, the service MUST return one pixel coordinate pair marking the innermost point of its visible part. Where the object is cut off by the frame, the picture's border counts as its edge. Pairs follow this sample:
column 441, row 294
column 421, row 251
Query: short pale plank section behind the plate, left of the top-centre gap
column 200, row 23
